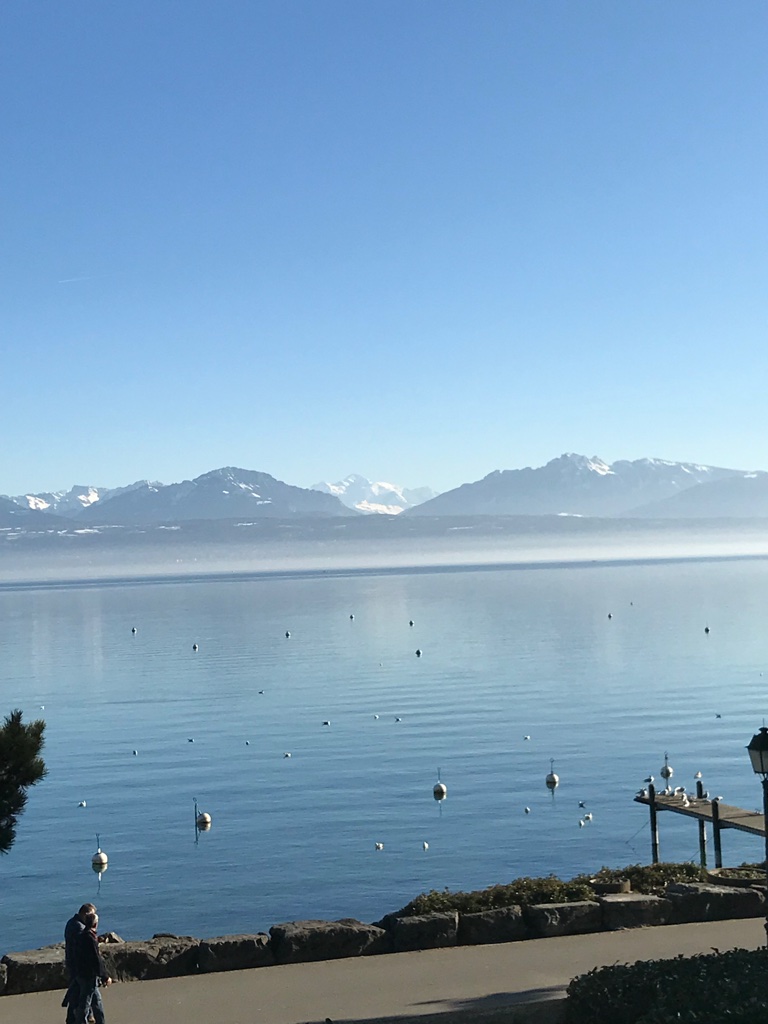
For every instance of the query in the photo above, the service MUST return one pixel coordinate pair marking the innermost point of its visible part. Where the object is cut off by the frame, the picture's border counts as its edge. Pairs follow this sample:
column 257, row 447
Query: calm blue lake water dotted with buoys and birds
column 507, row 654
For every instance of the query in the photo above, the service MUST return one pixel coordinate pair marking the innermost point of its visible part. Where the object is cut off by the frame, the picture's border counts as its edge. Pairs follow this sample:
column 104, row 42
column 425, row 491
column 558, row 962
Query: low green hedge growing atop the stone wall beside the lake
column 527, row 892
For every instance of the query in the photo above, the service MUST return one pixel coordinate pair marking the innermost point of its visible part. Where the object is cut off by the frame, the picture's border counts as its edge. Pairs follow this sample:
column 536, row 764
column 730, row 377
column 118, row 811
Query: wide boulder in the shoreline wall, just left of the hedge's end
column 303, row 942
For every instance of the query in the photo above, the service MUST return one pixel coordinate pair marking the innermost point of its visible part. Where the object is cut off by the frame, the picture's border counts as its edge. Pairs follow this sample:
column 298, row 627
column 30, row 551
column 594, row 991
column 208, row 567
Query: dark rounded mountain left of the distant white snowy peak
column 223, row 494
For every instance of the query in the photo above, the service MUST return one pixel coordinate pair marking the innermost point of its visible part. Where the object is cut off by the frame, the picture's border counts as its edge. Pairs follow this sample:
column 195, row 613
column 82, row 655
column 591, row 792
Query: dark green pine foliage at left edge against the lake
column 21, row 767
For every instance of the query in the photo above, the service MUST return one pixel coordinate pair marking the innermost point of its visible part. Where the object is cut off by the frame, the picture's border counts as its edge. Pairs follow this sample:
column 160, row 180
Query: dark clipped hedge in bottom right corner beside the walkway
column 713, row 989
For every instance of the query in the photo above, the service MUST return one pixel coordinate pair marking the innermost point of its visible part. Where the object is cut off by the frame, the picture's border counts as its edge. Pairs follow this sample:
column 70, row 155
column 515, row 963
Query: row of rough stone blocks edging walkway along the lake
column 303, row 942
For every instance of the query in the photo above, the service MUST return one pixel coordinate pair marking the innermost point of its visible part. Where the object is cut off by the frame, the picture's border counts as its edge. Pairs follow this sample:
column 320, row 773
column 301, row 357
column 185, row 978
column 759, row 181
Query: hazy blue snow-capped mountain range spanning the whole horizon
column 570, row 486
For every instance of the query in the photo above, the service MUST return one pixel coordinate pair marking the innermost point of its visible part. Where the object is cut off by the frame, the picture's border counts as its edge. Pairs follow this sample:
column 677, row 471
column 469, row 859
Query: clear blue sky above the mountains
column 419, row 240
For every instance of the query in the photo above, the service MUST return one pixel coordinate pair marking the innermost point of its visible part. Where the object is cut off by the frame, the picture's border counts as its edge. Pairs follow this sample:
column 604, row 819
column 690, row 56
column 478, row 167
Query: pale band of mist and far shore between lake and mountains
column 379, row 542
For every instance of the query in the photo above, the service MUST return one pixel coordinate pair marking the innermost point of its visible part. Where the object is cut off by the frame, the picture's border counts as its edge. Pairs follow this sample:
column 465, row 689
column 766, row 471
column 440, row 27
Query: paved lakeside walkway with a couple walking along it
column 462, row 983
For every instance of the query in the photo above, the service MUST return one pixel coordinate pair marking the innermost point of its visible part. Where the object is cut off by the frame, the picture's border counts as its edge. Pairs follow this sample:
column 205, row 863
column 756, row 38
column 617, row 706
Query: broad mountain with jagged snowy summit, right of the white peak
column 574, row 485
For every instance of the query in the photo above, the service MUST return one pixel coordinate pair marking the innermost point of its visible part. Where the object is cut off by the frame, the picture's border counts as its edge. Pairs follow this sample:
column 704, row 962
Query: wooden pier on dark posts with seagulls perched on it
column 706, row 812
